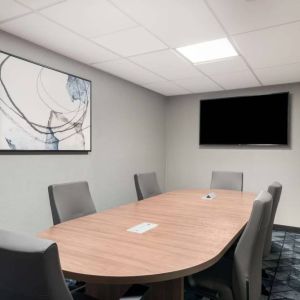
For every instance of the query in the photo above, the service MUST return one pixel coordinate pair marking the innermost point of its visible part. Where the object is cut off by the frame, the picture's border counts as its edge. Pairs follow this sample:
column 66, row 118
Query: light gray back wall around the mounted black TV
column 188, row 166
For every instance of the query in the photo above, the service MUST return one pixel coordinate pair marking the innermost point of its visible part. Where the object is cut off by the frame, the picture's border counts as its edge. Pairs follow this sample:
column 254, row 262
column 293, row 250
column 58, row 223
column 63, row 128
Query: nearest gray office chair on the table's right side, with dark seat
column 240, row 278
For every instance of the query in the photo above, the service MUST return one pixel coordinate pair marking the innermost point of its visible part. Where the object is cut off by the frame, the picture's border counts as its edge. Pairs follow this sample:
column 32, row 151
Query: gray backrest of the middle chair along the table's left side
column 70, row 201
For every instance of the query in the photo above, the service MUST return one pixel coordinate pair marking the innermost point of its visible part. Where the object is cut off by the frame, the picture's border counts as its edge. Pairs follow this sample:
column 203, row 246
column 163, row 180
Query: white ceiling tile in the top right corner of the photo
column 241, row 16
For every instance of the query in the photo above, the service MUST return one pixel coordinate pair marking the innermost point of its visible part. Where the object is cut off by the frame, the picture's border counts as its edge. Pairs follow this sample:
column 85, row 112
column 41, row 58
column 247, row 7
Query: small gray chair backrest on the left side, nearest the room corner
column 146, row 185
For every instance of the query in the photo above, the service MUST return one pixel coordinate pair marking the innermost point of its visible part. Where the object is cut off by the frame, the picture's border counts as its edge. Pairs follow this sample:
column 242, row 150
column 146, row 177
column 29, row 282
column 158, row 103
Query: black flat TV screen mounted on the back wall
column 251, row 120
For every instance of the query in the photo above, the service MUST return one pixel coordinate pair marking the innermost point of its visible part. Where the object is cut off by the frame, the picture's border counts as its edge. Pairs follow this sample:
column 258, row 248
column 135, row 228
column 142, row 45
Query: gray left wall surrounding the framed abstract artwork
column 128, row 126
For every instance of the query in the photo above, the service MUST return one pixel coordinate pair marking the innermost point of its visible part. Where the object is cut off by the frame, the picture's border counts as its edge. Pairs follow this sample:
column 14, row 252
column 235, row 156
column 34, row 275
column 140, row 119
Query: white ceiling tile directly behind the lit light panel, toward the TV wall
column 234, row 64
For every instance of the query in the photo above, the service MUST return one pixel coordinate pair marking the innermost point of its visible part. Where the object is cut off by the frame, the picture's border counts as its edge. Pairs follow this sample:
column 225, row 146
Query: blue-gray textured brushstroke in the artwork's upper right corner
column 78, row 89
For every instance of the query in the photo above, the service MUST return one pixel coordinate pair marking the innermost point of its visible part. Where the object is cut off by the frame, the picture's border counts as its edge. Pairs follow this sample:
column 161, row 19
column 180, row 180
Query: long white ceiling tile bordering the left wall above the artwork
column 33, row 28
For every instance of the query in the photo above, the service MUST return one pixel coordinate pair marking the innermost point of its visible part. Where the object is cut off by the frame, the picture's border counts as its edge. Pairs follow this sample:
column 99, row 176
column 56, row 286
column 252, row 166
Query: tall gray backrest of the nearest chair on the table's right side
column 247, row 266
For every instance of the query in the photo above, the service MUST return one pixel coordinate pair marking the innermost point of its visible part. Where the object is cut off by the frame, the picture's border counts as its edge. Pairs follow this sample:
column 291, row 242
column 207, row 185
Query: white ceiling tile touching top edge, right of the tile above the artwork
column 90, row 18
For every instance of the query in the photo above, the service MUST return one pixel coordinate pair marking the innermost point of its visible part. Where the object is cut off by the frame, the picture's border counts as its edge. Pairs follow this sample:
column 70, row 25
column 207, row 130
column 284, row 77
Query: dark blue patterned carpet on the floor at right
column 282, row 267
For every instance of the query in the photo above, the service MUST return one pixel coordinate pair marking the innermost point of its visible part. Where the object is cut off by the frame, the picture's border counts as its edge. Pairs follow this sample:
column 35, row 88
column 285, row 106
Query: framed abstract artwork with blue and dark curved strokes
column 42, row 109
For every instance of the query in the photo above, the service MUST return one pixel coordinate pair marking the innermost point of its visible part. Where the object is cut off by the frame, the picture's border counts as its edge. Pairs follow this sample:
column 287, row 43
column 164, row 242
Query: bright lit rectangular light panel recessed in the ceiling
column 208, row 51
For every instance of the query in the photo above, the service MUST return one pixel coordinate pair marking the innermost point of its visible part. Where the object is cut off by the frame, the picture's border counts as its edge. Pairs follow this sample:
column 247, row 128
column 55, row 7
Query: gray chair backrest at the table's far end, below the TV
column 227, row 180
